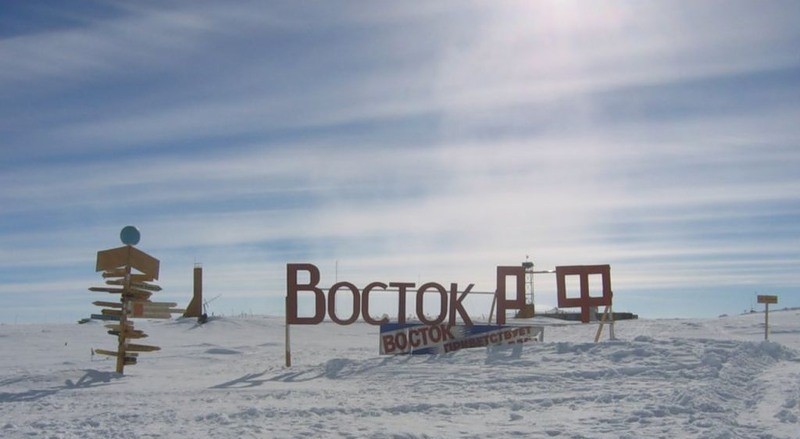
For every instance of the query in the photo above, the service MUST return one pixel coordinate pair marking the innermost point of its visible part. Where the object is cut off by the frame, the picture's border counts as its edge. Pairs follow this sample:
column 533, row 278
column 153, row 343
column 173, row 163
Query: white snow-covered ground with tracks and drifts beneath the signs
column 707, row 378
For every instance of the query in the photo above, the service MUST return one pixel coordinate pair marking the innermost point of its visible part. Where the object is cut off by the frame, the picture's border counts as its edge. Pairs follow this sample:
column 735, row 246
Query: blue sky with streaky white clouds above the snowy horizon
column 401, row 141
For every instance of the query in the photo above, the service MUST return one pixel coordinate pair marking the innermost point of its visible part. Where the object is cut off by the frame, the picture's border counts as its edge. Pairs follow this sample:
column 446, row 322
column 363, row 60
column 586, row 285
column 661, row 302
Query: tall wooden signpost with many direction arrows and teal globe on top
column 130, row 273
